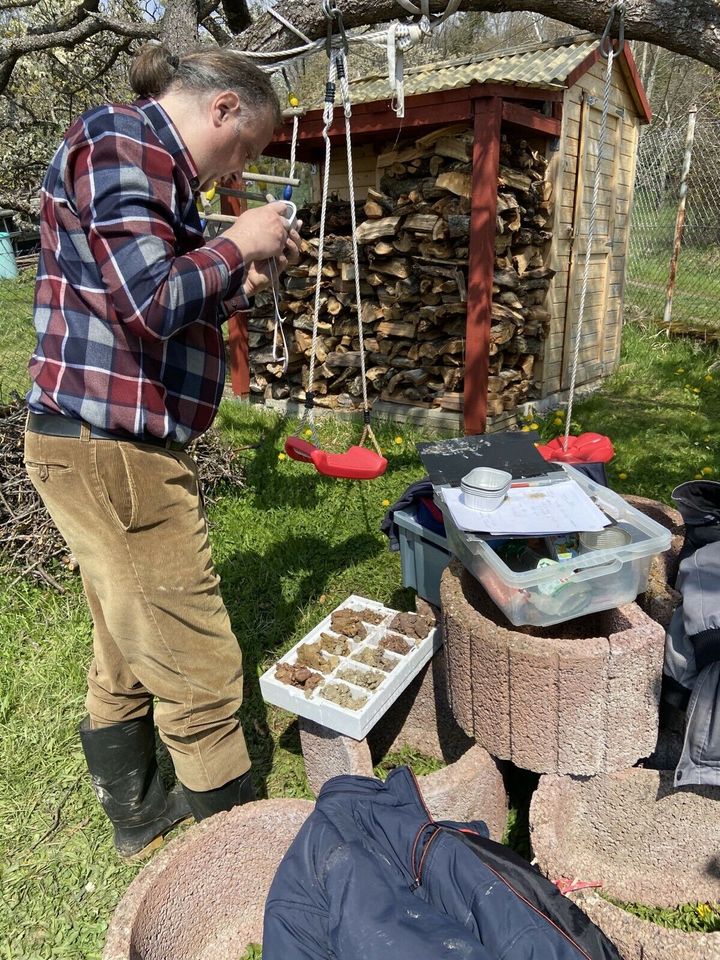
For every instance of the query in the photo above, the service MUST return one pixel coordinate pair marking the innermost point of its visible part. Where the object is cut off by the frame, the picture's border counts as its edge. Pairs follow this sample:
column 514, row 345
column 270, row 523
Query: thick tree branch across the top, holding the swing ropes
column 691, row 28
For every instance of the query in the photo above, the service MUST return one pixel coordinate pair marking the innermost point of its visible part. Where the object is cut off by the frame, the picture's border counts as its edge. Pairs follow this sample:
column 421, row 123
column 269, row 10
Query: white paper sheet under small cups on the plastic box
column 535, row 510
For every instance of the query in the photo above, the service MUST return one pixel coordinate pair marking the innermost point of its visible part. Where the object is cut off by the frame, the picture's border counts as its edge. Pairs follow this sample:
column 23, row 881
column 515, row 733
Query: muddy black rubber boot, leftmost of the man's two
column 123, row 766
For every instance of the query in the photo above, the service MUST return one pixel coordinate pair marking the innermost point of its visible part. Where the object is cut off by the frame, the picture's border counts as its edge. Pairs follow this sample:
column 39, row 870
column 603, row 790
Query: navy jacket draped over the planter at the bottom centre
column 371, row 876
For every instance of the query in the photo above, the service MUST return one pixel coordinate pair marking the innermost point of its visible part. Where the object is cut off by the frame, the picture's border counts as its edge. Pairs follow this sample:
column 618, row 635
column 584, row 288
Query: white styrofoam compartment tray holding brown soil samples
column 388, row 673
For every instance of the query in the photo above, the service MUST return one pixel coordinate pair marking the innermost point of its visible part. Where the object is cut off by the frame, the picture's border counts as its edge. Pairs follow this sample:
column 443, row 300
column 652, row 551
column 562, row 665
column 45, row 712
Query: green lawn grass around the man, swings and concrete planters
column 289, row 546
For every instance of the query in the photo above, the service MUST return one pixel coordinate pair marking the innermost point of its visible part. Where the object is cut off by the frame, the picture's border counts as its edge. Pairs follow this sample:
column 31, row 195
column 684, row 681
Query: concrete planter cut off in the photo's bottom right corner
column 640, row 940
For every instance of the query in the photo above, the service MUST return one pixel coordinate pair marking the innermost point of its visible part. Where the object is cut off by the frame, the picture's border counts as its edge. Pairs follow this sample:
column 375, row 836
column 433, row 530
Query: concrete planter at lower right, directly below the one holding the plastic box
column 631, row 831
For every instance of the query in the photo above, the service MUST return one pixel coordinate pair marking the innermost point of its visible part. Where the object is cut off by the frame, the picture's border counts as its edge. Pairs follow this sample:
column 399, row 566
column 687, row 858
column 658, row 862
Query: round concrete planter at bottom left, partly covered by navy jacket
column 203, row 896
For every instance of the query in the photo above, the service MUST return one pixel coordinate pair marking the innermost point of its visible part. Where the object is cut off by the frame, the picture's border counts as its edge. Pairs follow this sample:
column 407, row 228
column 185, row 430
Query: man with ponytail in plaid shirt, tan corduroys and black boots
column 128, row 369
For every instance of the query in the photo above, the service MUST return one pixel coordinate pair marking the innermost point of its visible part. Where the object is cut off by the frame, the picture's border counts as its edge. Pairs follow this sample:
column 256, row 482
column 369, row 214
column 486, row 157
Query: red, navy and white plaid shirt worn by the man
column 130, row 299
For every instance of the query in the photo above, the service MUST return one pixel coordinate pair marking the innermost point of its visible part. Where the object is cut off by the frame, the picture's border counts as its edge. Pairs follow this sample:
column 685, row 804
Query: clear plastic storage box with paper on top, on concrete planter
column 555, row 592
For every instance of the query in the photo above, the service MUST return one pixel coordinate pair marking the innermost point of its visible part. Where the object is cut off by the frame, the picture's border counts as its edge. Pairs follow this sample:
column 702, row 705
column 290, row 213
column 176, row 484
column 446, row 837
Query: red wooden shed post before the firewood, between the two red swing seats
column 481, row 261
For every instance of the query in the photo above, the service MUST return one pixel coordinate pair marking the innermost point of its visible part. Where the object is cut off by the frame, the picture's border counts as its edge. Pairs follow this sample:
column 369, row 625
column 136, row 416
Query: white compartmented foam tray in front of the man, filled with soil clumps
column 352, row 723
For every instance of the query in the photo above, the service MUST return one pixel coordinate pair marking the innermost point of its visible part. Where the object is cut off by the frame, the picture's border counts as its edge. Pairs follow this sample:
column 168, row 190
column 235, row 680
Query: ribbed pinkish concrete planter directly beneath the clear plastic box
column 578, row 698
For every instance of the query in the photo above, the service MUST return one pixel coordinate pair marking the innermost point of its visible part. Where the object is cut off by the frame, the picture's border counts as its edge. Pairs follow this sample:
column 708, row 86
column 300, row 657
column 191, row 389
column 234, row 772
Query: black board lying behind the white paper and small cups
column 447, row 461
